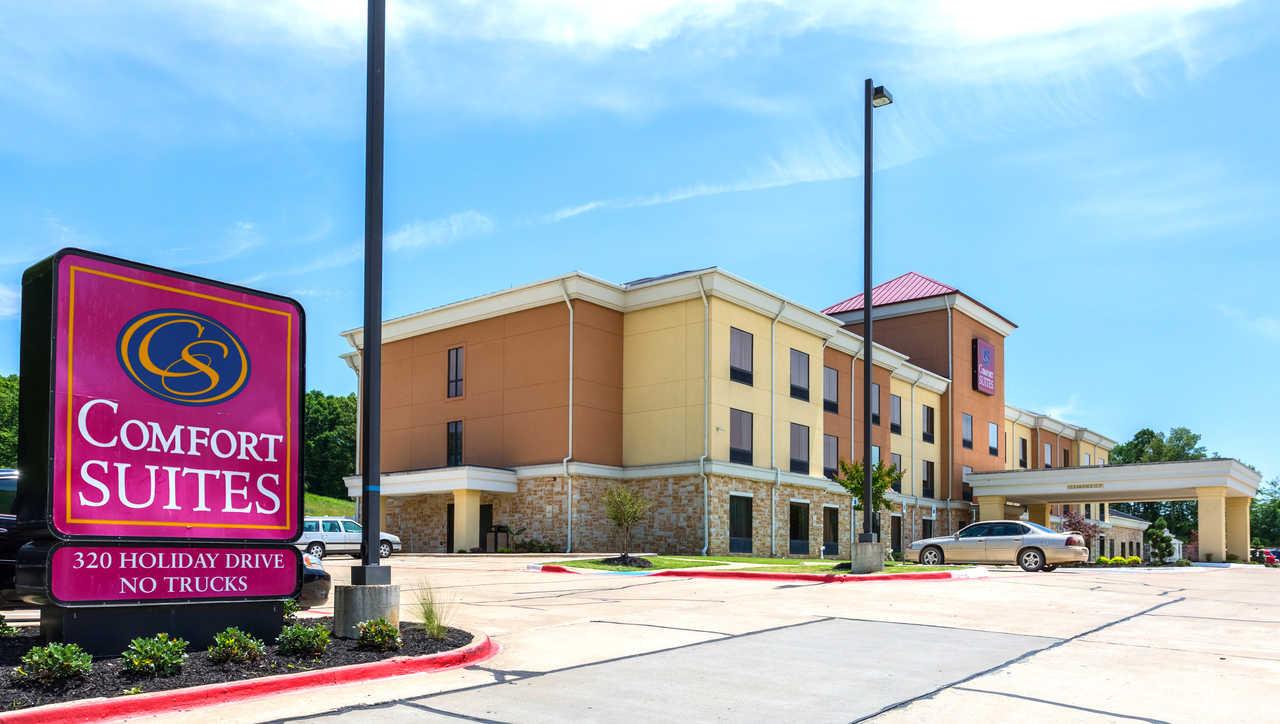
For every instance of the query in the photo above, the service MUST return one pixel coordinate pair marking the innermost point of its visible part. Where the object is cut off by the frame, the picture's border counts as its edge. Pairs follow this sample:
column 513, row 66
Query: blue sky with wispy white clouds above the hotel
column 1101, row 173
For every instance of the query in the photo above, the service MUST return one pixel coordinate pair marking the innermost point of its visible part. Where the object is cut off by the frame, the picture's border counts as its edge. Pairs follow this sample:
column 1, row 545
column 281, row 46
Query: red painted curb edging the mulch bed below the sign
column 175, row 700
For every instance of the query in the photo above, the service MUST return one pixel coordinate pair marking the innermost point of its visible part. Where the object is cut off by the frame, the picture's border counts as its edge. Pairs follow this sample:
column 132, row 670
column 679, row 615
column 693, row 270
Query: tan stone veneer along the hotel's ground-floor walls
column 675, row 524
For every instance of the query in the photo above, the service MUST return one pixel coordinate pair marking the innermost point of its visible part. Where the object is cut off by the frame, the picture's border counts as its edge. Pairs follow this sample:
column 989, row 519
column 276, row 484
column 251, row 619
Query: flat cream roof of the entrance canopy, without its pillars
column 1118, row 484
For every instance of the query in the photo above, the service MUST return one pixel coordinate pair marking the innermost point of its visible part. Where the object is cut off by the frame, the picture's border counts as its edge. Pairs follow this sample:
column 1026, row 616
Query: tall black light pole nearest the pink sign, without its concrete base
column 372, row 356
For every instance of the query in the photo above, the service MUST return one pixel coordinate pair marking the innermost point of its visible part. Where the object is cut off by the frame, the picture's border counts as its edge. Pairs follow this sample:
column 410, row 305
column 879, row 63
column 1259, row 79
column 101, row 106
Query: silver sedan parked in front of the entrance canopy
column 1030, row 546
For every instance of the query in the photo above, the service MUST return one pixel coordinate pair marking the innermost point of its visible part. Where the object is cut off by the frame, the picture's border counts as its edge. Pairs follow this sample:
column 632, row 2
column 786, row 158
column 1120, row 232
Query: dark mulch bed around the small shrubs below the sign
column 109, row 679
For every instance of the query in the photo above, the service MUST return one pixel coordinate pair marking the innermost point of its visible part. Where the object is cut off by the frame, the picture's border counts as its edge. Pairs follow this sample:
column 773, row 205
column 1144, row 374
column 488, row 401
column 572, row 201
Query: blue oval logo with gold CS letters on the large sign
column 182, row 358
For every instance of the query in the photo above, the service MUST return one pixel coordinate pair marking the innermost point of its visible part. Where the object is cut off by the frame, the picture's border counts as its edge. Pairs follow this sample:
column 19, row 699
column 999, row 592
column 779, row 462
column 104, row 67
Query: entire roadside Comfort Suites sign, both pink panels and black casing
column 173, row 416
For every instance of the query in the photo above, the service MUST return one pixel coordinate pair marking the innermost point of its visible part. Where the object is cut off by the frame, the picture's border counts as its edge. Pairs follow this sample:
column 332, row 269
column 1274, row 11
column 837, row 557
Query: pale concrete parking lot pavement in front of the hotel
column 1172, row 645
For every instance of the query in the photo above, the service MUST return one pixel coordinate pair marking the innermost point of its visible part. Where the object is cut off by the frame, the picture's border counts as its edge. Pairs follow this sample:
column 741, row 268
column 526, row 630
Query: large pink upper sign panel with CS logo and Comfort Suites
column 176, row 407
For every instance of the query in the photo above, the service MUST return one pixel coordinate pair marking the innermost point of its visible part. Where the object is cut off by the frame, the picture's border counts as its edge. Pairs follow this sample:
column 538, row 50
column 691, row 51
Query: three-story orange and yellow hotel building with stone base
column 726, row 405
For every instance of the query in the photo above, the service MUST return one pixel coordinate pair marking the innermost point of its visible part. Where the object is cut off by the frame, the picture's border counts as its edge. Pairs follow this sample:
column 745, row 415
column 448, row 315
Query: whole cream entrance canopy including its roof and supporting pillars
column 1222, row 488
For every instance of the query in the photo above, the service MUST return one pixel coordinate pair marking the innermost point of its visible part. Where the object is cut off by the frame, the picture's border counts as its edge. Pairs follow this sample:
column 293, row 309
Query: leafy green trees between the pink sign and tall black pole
column 330, row 442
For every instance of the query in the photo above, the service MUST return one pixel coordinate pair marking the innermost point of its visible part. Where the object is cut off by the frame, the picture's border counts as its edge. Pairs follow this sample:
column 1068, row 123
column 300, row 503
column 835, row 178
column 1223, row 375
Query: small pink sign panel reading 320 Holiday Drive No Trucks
column 140, row 574
